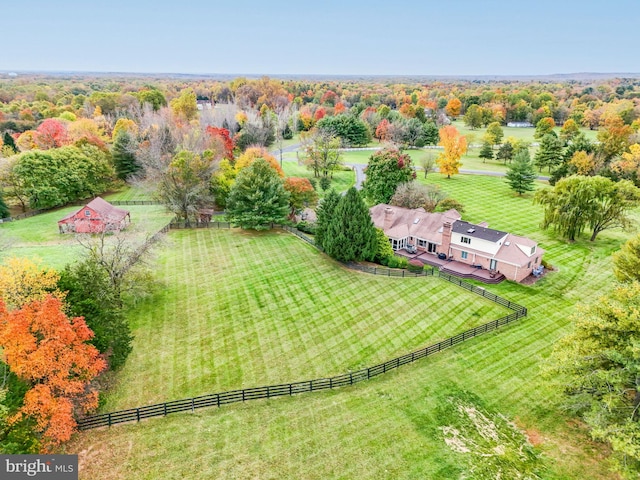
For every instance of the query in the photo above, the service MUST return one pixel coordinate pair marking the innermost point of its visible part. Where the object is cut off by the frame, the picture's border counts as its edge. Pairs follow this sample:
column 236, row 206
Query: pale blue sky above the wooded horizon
column 323, row 37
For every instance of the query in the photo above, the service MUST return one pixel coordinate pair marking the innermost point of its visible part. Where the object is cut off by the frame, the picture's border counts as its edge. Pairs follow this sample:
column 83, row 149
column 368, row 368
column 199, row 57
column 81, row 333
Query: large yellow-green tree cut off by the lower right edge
column 597, row 366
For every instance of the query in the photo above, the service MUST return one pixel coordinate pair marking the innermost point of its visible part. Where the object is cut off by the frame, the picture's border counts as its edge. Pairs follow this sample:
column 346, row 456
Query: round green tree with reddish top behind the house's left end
column 386, row 170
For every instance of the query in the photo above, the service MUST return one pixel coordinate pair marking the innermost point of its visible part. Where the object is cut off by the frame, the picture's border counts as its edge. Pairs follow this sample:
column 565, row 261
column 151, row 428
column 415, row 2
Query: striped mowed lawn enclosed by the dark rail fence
column 240, row 309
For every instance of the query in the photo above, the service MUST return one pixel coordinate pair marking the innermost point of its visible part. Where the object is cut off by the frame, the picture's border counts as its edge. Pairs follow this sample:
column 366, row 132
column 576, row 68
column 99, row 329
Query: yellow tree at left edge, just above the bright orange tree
column 23, row 281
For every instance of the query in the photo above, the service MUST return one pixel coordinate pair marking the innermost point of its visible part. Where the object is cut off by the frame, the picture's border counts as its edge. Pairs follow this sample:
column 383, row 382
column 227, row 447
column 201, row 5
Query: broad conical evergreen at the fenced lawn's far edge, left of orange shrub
column 258, row 197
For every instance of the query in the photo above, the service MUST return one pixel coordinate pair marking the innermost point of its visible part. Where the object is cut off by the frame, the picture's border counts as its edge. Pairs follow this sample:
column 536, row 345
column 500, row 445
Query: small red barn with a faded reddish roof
column 96, row 216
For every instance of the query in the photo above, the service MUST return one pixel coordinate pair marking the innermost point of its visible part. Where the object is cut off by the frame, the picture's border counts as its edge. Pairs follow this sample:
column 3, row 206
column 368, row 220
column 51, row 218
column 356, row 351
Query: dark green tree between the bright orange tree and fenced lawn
column 91, row 295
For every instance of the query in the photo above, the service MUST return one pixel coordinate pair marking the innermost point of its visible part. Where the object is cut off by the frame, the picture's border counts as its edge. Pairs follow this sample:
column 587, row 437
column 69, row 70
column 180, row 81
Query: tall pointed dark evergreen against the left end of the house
column 351, row 235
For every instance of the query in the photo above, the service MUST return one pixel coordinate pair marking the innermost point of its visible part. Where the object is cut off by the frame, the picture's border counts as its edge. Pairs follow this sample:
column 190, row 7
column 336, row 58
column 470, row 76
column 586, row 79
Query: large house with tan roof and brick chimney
column 446, row 236
